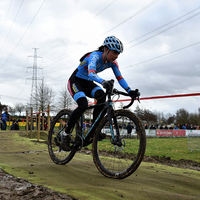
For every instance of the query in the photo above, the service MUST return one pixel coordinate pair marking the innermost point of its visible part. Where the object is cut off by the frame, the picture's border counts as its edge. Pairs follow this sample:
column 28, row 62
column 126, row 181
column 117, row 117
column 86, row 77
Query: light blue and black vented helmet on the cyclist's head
column 113, row 43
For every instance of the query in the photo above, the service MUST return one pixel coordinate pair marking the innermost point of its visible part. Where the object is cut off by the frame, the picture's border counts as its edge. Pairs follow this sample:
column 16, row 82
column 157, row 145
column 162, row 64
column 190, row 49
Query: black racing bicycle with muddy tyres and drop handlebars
column 114, row 154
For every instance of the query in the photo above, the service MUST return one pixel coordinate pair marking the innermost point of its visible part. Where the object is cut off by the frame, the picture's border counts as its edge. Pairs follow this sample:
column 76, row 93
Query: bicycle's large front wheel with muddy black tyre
column 118, row 156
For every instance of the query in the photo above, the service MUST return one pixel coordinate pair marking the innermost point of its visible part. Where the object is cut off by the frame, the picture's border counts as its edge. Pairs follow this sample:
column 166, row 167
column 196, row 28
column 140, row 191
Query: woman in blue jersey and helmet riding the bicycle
column 81, row 83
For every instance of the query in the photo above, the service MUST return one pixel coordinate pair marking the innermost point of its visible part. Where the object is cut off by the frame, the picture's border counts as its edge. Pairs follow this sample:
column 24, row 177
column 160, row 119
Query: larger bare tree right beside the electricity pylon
column 43, row 97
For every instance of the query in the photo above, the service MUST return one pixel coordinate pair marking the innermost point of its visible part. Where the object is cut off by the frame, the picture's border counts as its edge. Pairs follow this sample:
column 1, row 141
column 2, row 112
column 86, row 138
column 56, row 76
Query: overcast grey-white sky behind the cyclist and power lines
column 161, row 46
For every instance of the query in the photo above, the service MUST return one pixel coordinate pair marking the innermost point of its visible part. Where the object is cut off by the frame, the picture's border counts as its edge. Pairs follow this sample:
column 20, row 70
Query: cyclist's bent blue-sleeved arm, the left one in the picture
column 92, row 61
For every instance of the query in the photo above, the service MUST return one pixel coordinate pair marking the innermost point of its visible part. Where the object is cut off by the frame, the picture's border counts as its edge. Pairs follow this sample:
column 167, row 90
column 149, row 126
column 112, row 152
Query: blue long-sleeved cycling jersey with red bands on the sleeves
column 93, row 63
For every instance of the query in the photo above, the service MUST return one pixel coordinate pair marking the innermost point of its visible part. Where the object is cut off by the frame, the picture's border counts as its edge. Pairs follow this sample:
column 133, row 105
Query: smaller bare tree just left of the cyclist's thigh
column 65, row 100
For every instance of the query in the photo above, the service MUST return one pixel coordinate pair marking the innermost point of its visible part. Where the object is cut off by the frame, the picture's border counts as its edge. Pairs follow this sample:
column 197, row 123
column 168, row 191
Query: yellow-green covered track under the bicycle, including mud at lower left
column 80, row 178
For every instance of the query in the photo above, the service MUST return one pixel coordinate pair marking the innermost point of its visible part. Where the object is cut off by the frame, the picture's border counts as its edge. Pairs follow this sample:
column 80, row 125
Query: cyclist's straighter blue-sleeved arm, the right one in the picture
column 119, row 77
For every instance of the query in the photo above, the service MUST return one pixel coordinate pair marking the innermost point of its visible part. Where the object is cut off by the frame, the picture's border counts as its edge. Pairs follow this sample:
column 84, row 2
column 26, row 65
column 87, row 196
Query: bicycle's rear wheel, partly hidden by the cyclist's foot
column 57, row 127
